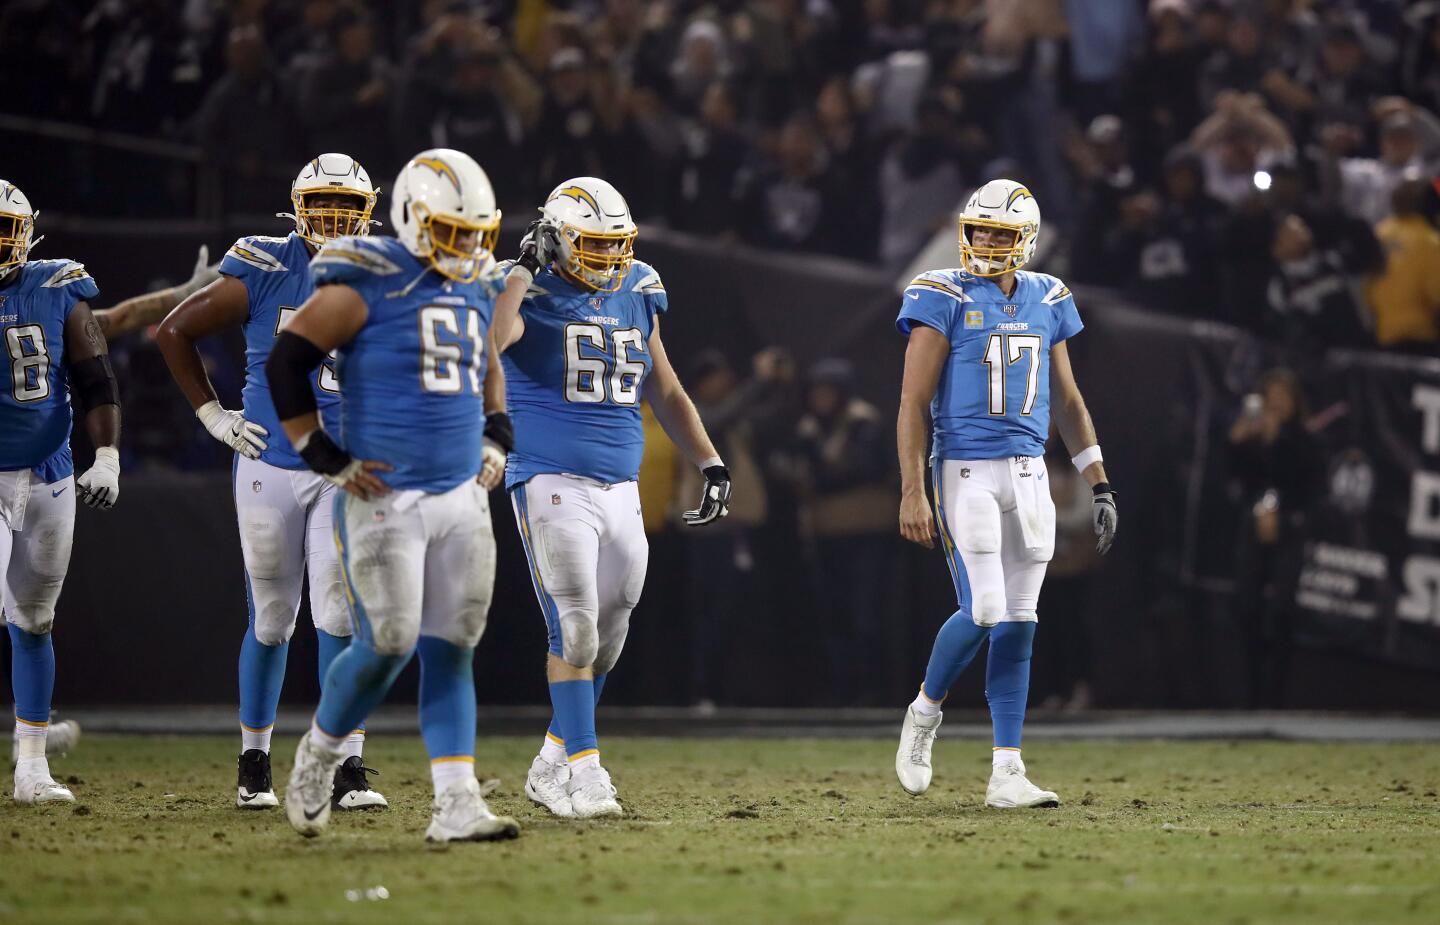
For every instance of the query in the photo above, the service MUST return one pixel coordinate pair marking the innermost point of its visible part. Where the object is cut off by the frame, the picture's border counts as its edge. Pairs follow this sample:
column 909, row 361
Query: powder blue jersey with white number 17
column 994, row 394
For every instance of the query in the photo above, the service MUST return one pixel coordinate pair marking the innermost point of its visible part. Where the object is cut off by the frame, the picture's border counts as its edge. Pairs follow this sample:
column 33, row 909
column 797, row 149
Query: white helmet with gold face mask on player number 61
column 443, row 208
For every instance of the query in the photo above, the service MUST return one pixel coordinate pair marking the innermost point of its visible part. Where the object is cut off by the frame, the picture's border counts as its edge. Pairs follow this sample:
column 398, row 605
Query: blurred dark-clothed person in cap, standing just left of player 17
column 849, row 512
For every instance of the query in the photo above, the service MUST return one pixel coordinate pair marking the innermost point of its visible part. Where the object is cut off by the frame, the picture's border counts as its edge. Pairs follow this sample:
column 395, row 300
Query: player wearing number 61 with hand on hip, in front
column 408, row 319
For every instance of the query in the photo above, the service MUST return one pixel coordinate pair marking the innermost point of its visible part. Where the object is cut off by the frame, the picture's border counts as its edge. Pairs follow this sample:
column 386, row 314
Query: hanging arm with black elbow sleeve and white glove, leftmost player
column 93, row 384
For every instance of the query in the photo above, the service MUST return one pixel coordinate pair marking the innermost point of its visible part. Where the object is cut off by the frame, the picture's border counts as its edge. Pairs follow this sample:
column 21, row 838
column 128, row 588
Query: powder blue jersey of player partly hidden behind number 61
column 276, row 273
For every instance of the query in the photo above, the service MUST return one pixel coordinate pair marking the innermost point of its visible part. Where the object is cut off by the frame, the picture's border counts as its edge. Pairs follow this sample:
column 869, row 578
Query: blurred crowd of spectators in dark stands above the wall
column 1261, row 162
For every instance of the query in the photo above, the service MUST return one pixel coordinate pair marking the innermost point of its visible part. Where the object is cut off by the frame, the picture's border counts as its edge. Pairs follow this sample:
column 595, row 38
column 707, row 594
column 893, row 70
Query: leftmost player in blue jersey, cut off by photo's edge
column 54, row 358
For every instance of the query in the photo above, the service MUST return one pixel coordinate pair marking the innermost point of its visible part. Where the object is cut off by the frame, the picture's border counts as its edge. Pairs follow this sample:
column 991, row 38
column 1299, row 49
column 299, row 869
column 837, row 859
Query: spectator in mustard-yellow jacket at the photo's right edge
column 1406, row 298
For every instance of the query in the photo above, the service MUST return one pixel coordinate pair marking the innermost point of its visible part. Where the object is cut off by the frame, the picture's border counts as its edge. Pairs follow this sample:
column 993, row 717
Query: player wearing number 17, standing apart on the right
column 987, row 345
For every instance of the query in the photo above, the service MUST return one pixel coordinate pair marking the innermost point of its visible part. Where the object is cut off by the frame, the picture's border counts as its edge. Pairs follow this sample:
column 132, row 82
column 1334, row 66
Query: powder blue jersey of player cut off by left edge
column 35, row 397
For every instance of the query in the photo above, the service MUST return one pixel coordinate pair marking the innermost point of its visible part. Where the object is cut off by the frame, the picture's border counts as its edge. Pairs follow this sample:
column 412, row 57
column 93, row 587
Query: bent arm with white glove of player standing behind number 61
column 214, row 309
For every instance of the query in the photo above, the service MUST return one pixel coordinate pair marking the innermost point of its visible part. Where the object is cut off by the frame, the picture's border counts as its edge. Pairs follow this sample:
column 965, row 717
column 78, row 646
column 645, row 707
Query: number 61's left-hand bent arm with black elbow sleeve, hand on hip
column 329, row 319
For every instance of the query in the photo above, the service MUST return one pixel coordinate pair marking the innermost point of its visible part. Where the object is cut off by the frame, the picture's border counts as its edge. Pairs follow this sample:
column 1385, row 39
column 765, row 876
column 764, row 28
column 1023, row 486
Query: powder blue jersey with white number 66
column 574, row 380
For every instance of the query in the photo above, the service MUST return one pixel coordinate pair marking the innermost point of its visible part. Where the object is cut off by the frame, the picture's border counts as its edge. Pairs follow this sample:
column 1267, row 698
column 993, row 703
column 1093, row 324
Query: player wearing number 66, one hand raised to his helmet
column 584, row 354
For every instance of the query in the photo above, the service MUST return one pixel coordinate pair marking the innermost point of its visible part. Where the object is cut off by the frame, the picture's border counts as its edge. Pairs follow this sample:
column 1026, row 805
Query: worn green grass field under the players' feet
column 747, row 831
